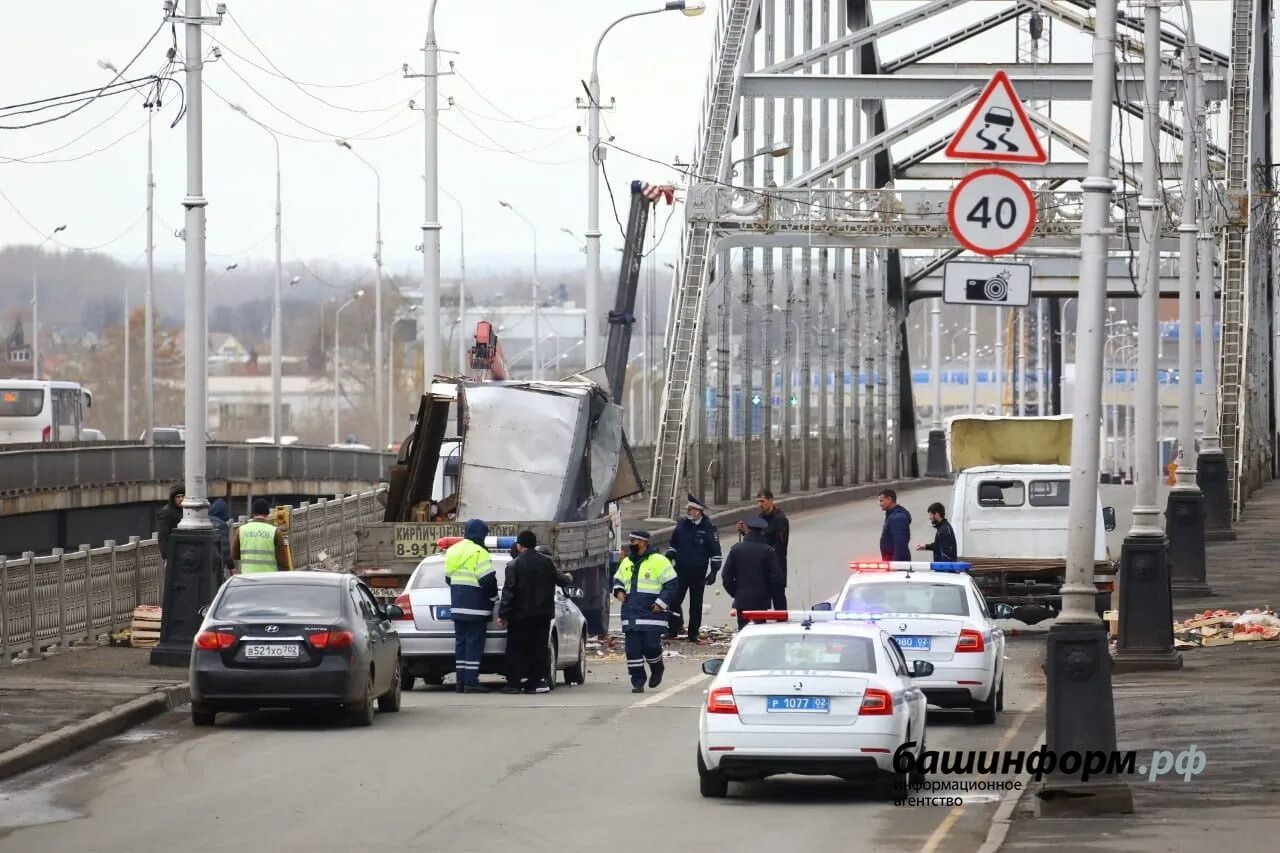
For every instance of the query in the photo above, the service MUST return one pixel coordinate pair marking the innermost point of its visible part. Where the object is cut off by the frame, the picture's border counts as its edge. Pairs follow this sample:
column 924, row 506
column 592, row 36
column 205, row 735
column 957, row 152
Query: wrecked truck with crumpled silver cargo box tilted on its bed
column 547, row 457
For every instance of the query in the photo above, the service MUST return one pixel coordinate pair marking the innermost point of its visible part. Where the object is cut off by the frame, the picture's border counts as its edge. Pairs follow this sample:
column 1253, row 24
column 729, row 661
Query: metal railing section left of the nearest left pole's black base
column 65, row 599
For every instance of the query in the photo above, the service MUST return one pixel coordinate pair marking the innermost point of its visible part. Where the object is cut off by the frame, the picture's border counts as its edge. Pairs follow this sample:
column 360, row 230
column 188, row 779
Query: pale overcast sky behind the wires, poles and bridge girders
column 519, row 60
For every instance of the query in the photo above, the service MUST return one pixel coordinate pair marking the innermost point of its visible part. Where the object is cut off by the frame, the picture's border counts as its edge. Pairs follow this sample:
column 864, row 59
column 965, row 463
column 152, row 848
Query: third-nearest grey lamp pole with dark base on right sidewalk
column 1185, row 513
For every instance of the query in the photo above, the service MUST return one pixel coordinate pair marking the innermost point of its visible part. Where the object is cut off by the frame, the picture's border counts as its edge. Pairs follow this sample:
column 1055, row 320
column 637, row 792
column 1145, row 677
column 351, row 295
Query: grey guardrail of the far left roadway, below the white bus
column 79, row 467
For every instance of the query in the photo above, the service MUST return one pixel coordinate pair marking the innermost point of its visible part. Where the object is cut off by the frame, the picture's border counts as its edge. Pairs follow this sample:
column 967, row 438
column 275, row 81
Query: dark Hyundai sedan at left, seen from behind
column 296, row 640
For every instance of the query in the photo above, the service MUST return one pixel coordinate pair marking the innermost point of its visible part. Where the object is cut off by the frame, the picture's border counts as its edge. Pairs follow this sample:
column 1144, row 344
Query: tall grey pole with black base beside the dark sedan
column 193, row 576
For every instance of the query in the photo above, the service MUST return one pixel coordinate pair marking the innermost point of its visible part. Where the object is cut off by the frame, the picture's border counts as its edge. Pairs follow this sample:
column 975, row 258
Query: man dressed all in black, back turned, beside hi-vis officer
column 527, row 610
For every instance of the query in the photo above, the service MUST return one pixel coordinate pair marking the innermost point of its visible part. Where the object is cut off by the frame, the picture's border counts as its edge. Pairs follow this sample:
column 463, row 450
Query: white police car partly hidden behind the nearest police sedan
column 936, row 614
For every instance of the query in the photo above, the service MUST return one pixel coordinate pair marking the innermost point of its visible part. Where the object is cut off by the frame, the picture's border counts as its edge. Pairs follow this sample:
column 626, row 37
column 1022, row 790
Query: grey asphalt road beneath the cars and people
column 591, row 768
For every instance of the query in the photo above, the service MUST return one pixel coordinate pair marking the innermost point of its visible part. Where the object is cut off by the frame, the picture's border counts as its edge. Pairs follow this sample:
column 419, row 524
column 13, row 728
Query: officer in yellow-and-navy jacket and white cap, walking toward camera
column 647, row 586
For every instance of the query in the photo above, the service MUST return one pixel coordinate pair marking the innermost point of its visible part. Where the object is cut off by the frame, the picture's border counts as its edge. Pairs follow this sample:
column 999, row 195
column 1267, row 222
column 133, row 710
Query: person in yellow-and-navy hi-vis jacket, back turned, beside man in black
column 473, row 590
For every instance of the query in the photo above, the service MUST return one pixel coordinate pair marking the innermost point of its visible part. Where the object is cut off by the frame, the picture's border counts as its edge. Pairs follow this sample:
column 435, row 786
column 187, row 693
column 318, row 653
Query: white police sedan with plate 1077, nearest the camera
column 810, row 696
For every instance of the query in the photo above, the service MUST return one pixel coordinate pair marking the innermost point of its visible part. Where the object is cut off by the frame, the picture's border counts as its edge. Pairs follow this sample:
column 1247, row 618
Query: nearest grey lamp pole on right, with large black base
column 1080, row 704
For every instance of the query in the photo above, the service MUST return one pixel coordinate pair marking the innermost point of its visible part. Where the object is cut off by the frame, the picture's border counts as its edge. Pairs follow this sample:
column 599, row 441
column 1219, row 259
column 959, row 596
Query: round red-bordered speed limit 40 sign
column 993, row 212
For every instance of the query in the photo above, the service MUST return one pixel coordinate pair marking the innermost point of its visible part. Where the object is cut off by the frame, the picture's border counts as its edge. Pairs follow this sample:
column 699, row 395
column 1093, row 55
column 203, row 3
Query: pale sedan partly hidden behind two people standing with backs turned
column 426, row 630
